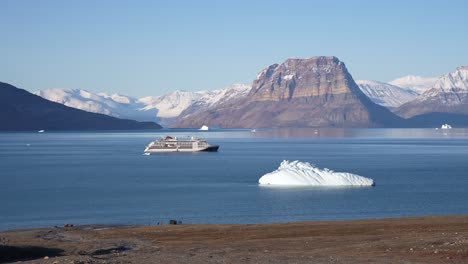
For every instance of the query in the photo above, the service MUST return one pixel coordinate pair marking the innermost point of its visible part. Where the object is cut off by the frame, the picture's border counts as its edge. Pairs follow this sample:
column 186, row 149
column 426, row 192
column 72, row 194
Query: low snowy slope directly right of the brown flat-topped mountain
column 386, row 94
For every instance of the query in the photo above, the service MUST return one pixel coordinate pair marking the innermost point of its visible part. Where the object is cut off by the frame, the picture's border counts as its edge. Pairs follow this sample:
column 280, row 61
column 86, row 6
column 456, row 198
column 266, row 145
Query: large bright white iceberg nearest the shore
column 298, row 173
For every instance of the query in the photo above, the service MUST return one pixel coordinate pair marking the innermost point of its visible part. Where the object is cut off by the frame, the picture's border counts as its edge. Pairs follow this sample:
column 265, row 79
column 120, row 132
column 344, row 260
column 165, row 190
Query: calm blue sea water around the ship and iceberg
column 49, row 179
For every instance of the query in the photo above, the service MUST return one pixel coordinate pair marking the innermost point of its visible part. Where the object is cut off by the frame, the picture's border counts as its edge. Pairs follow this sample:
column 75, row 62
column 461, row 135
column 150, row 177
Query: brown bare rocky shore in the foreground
column 405, row 240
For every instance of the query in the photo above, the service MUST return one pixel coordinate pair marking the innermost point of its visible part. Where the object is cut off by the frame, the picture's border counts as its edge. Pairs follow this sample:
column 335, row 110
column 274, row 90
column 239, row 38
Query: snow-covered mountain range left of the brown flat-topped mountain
column 162, row 109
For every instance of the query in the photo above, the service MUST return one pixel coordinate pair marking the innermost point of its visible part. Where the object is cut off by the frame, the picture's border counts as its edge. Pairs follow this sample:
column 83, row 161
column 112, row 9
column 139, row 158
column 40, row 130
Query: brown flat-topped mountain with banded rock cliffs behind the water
column 298, row 93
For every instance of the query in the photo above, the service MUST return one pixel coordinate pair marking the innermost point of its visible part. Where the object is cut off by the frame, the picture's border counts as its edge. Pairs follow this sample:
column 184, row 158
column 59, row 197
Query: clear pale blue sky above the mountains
column 153, row 47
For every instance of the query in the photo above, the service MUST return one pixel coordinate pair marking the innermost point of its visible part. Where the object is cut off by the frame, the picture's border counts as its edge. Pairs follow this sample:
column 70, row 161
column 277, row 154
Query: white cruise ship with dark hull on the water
column 172, row 144
